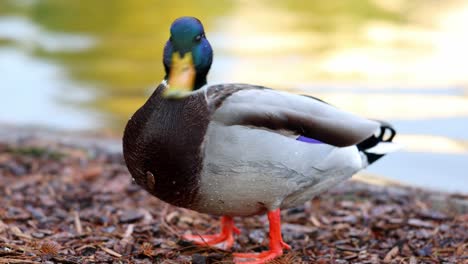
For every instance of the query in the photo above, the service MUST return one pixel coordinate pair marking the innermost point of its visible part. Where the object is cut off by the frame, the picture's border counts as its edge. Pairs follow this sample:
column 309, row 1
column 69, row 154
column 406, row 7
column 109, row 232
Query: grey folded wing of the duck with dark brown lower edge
column 276, row 110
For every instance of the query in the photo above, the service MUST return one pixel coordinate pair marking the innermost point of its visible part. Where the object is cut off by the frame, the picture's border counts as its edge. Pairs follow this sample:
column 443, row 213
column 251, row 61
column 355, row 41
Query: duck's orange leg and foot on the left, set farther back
column 226, row 235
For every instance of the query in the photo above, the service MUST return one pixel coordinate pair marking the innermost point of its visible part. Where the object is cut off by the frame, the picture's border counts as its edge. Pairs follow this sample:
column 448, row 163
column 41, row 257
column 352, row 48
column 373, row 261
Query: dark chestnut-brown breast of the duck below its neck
column 162, row 146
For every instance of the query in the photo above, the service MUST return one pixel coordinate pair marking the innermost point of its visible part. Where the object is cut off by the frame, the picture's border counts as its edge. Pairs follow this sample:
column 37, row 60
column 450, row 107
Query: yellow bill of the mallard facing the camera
column 181, row 76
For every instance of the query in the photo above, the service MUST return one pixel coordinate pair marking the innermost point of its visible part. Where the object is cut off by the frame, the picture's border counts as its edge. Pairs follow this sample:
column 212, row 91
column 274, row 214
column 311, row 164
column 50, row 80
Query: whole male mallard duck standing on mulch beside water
column 239, row 149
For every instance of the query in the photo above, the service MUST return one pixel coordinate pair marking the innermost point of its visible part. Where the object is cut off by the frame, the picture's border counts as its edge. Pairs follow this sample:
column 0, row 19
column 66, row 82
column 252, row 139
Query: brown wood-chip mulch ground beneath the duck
column 63, row 204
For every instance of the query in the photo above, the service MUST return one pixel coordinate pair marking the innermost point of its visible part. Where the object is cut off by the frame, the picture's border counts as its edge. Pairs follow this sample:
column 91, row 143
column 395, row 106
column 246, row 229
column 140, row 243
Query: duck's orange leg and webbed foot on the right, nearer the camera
column 276, row 243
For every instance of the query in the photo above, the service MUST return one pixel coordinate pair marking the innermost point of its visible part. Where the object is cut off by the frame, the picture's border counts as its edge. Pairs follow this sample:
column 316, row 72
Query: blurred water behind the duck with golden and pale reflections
column 88, row 65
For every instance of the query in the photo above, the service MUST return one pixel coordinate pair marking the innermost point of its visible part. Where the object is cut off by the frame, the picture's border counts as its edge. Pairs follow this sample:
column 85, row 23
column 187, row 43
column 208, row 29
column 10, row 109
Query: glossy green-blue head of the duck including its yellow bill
column 187, row 57
